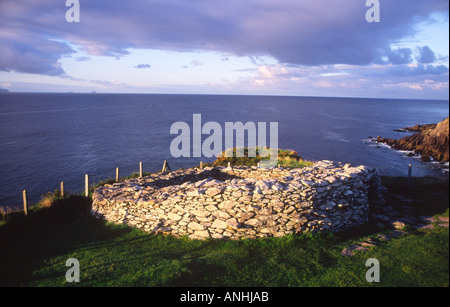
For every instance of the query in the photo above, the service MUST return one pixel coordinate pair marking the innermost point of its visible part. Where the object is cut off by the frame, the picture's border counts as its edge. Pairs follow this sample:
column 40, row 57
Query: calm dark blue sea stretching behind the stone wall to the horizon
column 49, row 138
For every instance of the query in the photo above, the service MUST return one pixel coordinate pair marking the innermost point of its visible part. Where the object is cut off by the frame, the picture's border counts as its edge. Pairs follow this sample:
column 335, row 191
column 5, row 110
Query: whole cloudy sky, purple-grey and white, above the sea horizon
column 262, row 47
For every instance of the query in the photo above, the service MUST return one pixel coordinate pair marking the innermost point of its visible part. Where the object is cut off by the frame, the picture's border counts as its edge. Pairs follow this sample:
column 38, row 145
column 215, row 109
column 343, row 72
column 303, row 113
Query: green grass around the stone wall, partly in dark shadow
column 34, row 250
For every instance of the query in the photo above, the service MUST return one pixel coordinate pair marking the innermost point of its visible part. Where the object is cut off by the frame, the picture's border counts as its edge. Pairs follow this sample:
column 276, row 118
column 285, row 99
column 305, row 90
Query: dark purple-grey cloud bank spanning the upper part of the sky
column 308, row 32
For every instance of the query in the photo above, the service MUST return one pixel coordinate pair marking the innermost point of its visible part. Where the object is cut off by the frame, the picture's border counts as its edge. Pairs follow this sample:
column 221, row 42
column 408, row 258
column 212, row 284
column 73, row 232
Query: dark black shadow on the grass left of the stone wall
column 63, row 227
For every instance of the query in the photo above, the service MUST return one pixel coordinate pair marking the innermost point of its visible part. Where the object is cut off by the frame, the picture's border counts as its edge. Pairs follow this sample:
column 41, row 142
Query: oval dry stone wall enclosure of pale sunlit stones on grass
column 243, row 202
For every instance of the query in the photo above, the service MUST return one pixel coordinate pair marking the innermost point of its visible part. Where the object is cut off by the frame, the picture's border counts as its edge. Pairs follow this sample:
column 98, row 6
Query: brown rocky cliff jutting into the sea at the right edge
column 431, row 140
